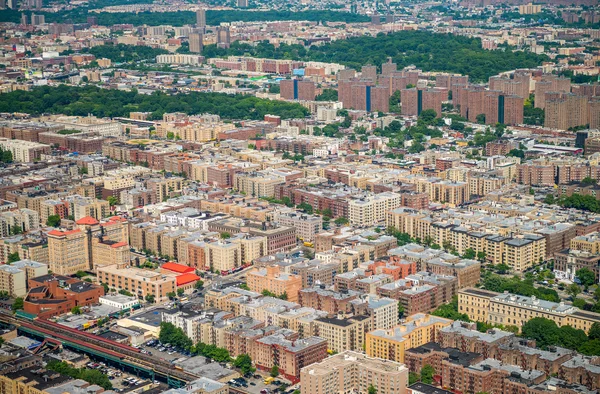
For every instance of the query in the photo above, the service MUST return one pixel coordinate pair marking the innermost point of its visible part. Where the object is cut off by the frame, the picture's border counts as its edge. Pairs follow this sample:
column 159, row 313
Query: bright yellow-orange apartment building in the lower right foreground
column 391, row 344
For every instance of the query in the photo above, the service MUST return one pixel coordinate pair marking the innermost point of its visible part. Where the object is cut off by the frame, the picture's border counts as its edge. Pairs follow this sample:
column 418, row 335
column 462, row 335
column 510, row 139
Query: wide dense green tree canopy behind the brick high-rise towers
column 426, row 50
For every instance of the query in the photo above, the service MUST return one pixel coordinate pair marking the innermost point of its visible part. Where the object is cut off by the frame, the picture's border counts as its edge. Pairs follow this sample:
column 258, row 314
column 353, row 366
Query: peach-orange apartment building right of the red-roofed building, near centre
column 272, row 279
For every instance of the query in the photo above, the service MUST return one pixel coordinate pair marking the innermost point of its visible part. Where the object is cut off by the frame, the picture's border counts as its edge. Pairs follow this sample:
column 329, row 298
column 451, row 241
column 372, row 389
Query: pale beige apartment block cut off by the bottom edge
column 349, row 372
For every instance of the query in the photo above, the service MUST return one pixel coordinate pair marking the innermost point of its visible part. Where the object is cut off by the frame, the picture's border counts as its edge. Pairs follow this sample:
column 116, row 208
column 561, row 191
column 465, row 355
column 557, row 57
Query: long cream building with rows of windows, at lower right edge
column 510, row 309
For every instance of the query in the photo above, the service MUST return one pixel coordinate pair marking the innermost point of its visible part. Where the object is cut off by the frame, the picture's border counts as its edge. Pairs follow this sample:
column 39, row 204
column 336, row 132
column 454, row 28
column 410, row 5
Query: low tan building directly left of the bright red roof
column 139, row 282
